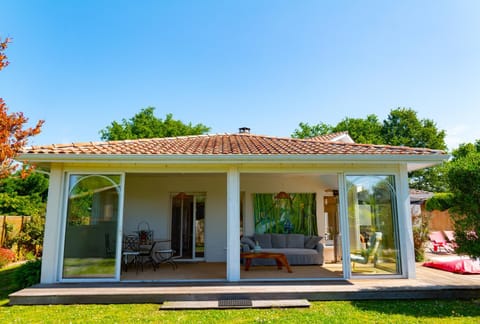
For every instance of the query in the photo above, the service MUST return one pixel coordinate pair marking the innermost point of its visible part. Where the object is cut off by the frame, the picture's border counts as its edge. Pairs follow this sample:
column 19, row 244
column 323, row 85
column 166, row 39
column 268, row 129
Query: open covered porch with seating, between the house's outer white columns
column 201, row 216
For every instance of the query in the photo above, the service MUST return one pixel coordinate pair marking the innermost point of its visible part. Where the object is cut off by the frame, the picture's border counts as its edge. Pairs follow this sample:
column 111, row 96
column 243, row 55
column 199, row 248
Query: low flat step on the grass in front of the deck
column 235, row 304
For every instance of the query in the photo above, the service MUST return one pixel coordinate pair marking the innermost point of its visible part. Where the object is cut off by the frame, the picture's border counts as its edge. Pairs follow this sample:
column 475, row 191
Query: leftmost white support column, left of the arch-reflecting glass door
column 53, row 223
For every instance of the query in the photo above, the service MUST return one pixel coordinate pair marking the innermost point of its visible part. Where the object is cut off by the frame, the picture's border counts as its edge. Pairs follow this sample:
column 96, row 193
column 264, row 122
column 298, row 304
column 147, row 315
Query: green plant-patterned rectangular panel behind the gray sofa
column 294, row 215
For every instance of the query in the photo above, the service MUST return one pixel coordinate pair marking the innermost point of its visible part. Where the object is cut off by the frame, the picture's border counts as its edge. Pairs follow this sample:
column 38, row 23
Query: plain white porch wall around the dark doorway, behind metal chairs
column 147, row 198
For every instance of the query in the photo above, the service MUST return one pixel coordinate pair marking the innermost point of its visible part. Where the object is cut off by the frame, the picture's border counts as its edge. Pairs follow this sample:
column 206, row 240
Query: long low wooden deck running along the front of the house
column 430, row 284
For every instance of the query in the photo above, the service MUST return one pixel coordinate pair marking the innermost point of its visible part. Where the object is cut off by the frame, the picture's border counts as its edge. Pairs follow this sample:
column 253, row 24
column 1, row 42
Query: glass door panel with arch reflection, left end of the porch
column 91, row 226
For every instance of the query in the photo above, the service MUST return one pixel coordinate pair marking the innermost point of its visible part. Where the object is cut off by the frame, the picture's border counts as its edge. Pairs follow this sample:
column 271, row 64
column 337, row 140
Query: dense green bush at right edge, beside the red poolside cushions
column 464, row 179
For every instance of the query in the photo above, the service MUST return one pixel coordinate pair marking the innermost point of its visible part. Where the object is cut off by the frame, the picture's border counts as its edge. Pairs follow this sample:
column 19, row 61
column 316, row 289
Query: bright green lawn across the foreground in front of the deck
column 431, row 311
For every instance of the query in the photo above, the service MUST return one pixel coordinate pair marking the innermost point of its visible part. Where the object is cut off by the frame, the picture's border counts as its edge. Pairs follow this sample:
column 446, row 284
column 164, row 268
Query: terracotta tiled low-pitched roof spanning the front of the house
column 224, row 144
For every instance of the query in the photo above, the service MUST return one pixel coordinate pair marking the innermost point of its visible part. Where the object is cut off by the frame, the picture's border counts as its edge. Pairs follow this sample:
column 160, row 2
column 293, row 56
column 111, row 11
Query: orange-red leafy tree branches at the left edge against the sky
column 13, row 136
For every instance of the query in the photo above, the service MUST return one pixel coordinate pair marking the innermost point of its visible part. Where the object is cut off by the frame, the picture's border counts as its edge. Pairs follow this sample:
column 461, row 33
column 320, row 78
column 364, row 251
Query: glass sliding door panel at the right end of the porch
column 373, row 225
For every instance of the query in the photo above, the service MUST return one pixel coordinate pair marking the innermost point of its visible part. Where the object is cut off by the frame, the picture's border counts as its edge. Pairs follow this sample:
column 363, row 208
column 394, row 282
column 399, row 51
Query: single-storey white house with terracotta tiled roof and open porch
column 200, row 194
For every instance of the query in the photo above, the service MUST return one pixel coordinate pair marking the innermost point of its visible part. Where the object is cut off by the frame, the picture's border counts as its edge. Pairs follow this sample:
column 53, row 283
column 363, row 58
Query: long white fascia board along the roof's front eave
column 414, row 161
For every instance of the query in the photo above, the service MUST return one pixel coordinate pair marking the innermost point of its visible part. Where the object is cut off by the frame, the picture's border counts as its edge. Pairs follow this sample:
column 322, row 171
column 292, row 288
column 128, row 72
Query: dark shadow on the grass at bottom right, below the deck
column 422, row 308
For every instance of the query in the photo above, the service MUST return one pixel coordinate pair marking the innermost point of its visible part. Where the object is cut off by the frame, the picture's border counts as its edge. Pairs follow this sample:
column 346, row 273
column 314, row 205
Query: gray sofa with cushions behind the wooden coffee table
column 298, row 248
